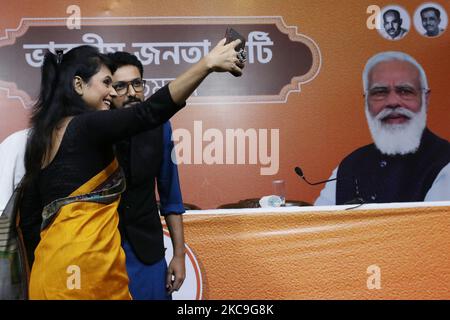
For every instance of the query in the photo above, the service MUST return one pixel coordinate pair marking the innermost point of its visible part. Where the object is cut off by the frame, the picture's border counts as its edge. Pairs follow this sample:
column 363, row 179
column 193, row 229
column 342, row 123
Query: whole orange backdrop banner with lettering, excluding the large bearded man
column 299, row 102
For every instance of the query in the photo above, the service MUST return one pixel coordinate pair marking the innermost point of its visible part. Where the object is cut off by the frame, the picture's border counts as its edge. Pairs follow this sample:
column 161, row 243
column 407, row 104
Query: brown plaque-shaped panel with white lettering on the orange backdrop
column 167, row 47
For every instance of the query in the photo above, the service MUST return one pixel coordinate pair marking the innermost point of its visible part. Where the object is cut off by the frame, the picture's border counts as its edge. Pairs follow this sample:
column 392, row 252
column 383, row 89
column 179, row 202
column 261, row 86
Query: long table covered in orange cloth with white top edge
column 377, row 251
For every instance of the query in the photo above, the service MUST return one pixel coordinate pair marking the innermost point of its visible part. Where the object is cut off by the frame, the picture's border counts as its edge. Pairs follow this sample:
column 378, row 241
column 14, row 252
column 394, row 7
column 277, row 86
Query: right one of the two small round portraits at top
column 430, row 20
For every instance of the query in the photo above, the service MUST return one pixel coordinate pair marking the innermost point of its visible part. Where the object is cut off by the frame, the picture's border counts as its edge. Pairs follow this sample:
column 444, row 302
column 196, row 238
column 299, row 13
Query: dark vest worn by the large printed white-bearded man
column 380, row 178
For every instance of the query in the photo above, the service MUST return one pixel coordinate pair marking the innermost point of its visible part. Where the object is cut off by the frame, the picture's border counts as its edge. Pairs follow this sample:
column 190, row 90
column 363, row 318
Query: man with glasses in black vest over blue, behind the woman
column 146, row 161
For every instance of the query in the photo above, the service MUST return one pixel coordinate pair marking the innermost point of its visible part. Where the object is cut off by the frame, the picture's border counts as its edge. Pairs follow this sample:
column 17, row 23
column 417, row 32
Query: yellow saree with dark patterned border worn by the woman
column 80, row 254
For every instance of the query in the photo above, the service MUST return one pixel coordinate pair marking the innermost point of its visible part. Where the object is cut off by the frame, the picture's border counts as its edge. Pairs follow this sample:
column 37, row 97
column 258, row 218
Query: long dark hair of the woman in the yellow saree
column 58, row 99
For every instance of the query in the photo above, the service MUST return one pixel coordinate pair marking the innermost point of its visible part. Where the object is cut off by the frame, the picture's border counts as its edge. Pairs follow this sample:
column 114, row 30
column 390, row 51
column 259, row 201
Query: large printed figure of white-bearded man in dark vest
column 398, row 165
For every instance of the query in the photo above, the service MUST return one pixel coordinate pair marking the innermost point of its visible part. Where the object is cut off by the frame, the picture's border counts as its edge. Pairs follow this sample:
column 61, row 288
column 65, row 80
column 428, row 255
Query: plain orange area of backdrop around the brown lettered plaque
column 318, row 126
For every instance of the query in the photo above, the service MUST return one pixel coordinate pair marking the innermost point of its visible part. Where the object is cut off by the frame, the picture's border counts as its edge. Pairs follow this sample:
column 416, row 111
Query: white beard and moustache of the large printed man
column 397, row 139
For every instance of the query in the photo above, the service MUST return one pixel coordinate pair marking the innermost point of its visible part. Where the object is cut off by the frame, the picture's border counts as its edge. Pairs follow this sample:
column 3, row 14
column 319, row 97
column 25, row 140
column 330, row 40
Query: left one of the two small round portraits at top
column 395, row 23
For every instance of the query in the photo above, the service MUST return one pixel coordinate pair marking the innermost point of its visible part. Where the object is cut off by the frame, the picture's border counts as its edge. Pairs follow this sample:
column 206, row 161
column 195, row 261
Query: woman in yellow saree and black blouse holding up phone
column 73, row 182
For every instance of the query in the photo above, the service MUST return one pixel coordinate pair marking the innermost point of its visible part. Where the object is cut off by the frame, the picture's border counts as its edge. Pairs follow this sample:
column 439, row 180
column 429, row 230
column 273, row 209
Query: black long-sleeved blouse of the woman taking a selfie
column 86, row 149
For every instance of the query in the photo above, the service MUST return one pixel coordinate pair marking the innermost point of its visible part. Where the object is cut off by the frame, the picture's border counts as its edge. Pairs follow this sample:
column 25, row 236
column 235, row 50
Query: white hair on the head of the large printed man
column 393, row 56
